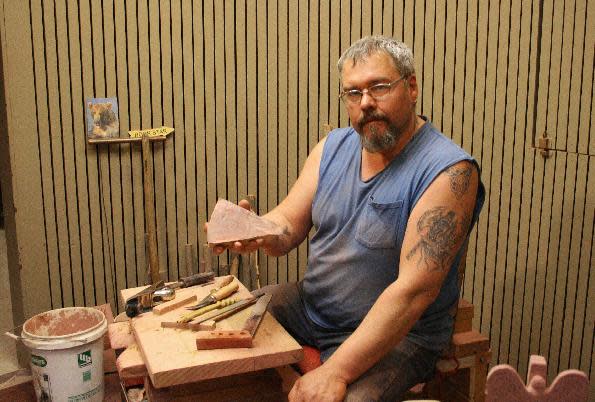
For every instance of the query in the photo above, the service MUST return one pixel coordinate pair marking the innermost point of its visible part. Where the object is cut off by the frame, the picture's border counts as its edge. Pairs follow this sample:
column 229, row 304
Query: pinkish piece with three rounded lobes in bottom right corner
column 505, row 385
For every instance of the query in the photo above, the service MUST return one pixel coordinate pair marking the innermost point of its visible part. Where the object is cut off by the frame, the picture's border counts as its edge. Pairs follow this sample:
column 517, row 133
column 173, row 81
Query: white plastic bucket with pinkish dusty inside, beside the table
column 67, row 353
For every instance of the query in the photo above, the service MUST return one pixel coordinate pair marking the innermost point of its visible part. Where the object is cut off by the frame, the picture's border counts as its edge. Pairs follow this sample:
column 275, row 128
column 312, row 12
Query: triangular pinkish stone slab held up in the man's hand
column 229, row 222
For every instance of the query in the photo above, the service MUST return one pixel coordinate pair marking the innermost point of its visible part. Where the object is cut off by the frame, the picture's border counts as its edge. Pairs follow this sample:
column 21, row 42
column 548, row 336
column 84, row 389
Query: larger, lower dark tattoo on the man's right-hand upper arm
column 440, row 230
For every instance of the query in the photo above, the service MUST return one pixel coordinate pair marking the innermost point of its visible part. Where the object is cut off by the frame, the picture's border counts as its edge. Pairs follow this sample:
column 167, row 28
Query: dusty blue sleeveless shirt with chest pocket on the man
column 359, row 229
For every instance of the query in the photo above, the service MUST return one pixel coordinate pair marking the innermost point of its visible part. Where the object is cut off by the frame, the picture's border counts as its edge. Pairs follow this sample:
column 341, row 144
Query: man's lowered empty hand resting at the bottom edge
column 319, row 385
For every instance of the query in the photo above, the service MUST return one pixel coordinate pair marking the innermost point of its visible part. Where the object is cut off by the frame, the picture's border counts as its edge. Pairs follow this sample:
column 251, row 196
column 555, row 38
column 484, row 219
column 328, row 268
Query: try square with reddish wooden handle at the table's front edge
column 243, row 338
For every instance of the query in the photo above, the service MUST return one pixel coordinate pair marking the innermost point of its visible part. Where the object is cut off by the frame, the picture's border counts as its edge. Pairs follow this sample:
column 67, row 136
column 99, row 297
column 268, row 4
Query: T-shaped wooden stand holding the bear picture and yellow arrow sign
column 149, row 192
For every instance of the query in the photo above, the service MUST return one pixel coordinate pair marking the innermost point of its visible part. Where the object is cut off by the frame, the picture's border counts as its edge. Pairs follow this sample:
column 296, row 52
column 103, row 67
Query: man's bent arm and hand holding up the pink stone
column 293, row 214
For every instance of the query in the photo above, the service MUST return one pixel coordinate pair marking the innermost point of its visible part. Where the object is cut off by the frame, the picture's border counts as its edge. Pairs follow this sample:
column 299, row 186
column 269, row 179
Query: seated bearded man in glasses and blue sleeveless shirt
column 392, row 202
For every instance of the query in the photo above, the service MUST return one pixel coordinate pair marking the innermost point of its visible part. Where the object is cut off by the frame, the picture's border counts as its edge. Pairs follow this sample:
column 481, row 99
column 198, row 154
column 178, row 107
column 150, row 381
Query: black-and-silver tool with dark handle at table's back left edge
column 158, row 293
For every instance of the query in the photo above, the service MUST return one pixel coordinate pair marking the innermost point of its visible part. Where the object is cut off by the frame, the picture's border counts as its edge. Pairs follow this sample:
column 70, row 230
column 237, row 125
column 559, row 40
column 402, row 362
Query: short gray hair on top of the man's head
column 399, row 52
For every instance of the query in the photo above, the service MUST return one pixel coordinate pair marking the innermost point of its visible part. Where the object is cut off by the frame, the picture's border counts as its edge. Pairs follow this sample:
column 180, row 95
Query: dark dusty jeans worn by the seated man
column 403, row 367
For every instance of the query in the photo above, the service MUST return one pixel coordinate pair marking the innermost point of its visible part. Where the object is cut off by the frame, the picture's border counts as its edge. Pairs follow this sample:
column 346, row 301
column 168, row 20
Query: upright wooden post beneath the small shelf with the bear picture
column 150, row 209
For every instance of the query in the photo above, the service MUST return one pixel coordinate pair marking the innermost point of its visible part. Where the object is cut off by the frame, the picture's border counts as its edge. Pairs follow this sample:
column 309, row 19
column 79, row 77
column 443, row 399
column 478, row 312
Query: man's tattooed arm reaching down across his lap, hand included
column 436, row 230
